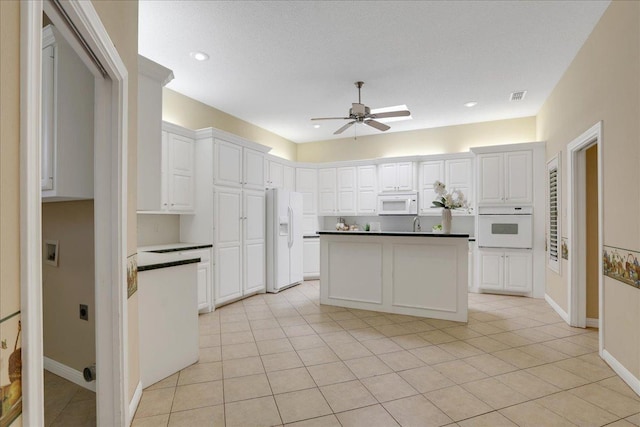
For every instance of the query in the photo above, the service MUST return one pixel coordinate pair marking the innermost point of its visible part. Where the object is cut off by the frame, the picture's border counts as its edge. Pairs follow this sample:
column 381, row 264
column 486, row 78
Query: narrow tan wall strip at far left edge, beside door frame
column 9, row 180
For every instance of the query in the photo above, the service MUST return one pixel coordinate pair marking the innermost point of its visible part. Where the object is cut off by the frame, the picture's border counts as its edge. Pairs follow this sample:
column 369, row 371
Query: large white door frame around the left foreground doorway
column 110, row 215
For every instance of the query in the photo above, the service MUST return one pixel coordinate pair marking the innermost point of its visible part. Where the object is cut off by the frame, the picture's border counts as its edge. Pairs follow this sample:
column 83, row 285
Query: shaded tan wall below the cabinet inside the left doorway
column 68, row 339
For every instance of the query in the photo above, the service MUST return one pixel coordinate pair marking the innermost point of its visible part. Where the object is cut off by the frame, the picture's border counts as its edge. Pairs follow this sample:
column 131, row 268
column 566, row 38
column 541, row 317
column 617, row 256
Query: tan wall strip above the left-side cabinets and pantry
column 192, row 114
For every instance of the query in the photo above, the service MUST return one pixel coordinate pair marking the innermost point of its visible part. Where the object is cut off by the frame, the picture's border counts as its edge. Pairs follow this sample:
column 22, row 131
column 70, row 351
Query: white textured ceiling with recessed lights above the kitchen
column 277, row 64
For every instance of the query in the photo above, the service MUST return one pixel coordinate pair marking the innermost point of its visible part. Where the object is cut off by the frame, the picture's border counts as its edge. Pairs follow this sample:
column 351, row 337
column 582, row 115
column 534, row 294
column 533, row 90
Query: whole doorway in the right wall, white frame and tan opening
column 584, row 218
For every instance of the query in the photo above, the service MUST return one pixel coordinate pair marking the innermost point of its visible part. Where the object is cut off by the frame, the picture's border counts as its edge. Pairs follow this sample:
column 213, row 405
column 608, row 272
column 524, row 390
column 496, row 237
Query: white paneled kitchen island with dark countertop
column 418, row 274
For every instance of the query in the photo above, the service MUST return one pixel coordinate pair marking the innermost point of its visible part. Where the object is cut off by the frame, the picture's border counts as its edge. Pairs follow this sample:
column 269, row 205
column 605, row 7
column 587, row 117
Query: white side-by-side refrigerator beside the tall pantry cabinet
column 284, row 239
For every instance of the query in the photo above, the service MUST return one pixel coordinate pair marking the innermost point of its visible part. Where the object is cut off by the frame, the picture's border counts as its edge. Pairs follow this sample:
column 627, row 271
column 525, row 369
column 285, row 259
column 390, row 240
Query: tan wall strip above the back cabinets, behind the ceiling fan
column 449, row 139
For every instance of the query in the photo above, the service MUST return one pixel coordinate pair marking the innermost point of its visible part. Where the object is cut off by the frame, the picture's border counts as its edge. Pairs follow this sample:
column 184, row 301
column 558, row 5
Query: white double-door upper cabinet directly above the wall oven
column 505, row 178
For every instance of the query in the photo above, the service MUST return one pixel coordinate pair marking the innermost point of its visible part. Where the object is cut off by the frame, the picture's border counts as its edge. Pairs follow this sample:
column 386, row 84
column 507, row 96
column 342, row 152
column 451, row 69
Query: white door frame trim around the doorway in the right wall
column 576, row 221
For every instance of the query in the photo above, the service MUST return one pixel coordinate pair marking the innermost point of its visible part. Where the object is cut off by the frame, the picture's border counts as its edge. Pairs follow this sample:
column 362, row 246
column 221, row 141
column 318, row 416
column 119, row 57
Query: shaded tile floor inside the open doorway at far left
column 67, row 404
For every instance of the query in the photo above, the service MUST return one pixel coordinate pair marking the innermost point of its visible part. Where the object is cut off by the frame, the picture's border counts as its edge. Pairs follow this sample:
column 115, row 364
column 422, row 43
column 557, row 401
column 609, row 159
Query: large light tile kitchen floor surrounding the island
column 284, row 359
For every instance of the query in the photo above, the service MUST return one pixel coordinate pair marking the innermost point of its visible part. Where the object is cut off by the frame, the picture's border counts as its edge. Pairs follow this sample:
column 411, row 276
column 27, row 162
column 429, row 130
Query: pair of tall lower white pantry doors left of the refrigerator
column 239, row 243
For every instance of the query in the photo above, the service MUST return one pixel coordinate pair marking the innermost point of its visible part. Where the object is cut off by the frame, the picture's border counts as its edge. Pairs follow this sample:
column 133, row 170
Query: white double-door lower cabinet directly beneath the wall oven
column 502, row 270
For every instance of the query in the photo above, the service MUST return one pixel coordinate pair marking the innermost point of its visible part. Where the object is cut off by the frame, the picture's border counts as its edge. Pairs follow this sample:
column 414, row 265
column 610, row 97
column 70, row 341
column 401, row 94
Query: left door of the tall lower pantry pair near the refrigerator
column 228, row 244
